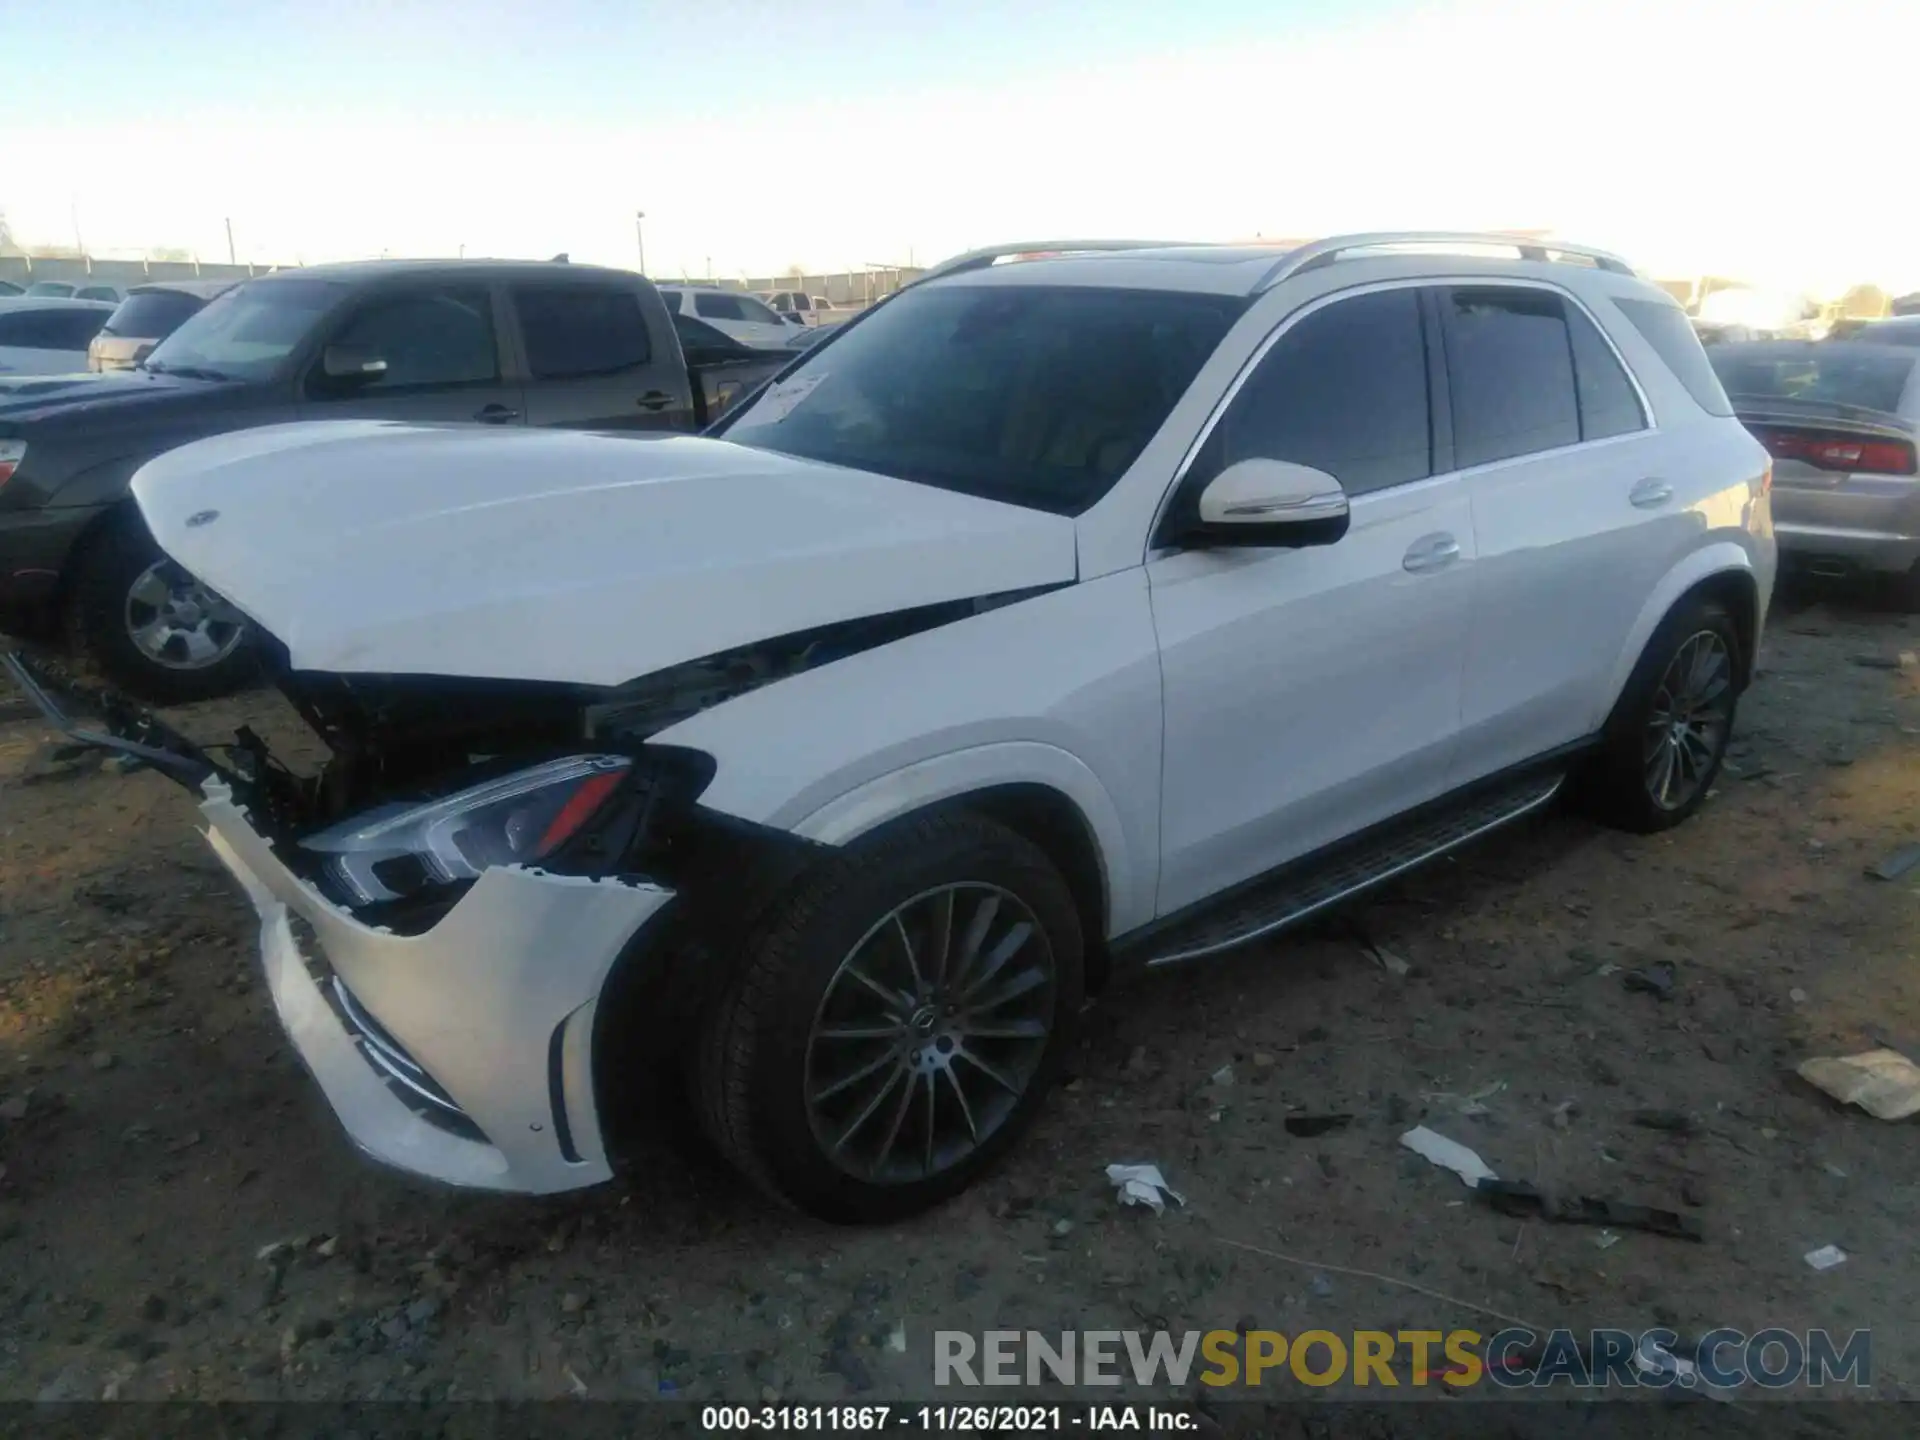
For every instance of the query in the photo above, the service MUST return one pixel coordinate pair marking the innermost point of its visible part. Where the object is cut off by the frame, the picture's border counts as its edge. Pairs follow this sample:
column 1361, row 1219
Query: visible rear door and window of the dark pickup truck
column 598, row 358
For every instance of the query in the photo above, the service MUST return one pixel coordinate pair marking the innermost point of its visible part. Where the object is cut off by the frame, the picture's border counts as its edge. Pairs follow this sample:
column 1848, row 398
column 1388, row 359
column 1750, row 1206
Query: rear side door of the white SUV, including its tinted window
column 1572, row 512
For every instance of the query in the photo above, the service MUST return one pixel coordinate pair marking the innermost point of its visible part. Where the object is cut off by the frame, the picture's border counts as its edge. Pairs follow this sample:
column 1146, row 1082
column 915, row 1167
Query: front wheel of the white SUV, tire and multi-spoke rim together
column 898, row 1020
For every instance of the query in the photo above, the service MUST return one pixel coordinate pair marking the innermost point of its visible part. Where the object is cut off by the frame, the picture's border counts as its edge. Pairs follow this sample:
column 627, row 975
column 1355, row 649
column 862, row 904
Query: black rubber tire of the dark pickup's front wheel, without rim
column 97, row 619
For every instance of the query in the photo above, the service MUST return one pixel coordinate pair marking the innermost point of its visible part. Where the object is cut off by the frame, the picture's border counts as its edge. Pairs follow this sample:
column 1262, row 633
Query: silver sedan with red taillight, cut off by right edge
column 1842, row 421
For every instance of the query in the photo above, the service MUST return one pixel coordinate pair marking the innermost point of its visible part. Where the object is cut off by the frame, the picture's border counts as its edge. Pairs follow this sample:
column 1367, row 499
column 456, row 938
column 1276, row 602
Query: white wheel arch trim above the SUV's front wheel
column 982, row 767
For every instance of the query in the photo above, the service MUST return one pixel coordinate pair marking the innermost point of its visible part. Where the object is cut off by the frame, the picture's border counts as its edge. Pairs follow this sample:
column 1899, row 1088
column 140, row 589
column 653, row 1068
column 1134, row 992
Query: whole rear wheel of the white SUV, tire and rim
column 1669, row 731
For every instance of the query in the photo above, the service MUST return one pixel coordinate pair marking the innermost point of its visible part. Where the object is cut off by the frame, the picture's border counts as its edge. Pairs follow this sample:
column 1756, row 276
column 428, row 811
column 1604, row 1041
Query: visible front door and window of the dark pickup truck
column 441, row 345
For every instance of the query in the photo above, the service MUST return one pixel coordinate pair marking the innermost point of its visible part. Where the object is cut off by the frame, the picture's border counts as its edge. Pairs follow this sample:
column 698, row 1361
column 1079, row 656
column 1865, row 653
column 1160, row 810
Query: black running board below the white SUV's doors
column 1307, row 890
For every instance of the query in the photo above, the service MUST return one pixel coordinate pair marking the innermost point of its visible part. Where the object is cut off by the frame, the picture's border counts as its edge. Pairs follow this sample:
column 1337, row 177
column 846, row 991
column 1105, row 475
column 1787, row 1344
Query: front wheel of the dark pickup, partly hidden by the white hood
column 151, row 627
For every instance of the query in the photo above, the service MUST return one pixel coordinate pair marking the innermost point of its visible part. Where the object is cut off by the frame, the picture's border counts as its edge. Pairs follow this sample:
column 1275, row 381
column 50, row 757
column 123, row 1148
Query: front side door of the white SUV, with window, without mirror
column 1314, row 692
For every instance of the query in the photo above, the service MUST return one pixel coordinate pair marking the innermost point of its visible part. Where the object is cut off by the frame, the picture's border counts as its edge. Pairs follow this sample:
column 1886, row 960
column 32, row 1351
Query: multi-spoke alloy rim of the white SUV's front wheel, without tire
column 930, row 1034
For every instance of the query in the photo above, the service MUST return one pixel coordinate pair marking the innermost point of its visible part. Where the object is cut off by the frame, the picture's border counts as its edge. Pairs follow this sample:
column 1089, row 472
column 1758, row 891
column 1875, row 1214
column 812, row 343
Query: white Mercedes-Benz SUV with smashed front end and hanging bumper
column 1080, row 608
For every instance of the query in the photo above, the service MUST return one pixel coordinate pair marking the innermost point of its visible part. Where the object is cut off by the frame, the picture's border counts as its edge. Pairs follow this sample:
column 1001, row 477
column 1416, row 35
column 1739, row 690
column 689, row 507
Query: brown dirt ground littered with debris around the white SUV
column 181, row 1218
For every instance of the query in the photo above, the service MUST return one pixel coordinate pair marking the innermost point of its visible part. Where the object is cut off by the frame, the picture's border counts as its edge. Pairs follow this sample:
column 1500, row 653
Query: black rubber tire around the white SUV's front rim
column 752, row 1065
